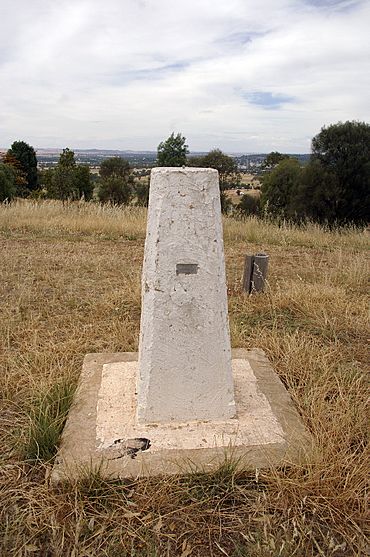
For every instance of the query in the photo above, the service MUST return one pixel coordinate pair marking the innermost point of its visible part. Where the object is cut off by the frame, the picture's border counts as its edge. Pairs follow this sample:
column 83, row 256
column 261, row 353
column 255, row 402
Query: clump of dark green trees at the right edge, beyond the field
column 334, row 188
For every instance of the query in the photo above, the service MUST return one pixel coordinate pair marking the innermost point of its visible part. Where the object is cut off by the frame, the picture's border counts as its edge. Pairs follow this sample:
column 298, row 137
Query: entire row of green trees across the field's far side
column 334, row 187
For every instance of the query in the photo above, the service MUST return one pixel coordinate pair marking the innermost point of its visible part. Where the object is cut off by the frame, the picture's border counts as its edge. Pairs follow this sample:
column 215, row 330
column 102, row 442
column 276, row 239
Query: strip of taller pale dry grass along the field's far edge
column 51, row 218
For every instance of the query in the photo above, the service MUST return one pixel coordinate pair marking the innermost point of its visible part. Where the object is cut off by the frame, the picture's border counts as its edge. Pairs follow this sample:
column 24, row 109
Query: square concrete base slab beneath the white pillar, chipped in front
column 102, row 432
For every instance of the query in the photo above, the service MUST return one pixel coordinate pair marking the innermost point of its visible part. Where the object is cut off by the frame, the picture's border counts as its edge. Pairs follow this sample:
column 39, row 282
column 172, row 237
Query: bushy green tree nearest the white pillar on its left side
column 116, row 181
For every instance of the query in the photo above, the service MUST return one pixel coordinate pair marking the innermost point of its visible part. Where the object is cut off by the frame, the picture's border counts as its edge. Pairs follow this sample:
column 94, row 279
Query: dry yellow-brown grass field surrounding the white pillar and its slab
column 70, row 284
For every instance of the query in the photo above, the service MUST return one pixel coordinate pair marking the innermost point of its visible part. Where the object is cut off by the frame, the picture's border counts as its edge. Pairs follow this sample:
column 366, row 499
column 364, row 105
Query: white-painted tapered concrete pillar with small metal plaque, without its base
column 184, row 352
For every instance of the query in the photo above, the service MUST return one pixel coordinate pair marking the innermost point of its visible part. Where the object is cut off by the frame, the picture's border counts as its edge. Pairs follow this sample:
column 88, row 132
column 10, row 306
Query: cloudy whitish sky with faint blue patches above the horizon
column 241, row 75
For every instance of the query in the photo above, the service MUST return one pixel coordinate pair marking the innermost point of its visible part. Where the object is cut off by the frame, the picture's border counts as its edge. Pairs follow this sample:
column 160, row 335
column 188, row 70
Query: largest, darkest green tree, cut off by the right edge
column 343, row 151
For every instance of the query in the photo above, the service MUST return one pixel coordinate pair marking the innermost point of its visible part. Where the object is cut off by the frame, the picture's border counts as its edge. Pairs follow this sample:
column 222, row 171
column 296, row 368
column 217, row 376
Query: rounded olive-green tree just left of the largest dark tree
column 279, row 189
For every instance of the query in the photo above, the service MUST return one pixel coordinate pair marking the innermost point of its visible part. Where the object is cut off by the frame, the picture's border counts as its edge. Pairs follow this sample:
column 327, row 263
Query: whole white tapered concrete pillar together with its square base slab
column 173, row 410
